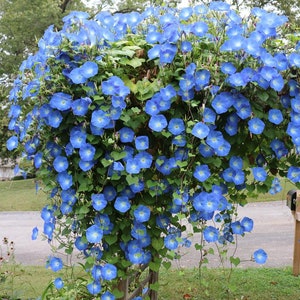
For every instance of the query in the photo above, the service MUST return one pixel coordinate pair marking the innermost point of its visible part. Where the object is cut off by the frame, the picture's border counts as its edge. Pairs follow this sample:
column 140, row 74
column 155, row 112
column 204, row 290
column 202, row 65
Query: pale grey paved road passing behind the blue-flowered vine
column 273, row 231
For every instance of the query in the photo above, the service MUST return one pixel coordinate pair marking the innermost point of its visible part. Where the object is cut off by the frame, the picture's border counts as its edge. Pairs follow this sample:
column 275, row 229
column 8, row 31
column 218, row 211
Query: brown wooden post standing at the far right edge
column 296, row 259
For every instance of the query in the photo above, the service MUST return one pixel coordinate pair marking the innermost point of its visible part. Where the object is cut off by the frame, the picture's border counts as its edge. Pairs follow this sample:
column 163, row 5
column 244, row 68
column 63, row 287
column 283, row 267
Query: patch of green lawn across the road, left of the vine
column 20, row 195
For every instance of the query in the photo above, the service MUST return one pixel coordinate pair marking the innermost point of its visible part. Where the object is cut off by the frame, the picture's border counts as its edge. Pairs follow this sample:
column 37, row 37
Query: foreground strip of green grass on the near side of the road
column 250, row 284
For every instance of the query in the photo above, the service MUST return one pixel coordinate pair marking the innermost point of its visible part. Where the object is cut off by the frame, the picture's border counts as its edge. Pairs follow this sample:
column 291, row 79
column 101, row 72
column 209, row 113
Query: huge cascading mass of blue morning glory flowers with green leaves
column 122, row 157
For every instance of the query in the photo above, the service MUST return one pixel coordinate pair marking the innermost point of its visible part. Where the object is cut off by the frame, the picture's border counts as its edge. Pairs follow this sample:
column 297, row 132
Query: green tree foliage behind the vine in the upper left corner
column 22, row 23
